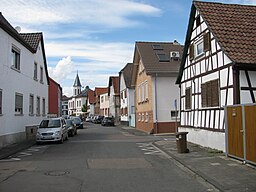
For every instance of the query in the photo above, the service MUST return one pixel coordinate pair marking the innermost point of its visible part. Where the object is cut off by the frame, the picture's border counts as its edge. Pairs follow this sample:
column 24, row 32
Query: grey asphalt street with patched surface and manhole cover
column 98, row 159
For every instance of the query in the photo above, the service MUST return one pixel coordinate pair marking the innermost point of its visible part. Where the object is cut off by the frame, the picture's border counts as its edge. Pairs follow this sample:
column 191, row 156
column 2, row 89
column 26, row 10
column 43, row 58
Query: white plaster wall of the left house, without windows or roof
column 20, row 81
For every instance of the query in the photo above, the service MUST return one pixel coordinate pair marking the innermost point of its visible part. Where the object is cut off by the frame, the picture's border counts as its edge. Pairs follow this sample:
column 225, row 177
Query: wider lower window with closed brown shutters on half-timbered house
column 210, row 93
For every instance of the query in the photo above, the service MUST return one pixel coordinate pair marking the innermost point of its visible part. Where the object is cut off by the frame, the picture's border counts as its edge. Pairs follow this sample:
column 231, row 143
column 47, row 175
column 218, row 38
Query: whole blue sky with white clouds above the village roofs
column 97, row 37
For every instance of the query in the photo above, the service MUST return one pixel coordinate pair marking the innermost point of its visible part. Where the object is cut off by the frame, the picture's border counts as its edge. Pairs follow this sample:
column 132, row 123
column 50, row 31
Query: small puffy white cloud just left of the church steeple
column 62, row 69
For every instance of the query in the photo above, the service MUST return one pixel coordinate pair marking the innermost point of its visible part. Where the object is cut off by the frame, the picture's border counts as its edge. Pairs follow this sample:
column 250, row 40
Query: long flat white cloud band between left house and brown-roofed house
column 114, row 52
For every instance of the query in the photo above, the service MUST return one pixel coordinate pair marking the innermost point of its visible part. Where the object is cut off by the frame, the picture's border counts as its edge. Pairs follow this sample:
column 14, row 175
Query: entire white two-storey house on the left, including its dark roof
column 23, row 82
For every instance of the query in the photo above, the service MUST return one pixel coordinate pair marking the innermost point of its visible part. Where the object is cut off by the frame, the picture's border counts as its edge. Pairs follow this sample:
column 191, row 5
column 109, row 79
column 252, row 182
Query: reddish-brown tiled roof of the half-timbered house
column 234, row 26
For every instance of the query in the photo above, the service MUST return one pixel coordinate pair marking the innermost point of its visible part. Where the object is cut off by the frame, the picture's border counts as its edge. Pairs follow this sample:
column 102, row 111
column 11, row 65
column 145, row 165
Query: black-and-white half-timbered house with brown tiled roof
column 218, row 68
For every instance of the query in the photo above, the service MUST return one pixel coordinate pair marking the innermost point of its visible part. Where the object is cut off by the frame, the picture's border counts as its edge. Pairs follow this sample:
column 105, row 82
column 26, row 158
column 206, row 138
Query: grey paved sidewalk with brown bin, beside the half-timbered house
column 224, row 173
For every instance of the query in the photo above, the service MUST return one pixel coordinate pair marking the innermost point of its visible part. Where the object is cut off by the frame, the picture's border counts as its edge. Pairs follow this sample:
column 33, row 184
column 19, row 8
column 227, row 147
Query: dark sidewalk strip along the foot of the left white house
column 14, row 148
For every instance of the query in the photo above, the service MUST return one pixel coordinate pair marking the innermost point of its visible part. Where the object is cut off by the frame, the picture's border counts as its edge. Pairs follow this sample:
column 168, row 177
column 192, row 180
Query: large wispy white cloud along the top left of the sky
column 94, row 12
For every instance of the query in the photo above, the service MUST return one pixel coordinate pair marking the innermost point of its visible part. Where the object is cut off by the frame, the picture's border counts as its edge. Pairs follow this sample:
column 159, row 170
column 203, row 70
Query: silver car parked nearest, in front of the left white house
column 52, row 129
